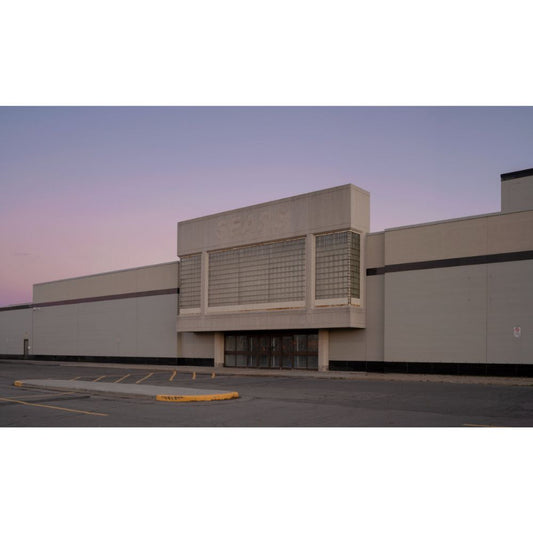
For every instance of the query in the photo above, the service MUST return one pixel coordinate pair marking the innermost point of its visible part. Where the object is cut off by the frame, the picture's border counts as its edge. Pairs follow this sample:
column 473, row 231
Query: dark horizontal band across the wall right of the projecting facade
column 453, row 262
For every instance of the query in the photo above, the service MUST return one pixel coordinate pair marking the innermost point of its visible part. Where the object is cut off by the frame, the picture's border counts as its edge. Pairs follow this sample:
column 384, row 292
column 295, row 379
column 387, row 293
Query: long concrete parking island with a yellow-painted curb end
column 153, row 392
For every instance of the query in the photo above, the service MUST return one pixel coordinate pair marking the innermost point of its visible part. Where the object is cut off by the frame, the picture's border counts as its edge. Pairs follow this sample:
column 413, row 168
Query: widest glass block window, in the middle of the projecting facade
column 263, row 273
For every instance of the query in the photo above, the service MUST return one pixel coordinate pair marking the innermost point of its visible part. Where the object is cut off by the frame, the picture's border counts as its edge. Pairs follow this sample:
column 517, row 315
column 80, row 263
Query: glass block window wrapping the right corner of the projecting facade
column 337, row 265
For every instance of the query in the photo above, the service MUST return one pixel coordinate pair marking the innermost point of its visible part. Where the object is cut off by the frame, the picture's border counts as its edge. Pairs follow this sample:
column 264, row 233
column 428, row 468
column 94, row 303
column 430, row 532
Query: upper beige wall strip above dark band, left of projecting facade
column 153, row 277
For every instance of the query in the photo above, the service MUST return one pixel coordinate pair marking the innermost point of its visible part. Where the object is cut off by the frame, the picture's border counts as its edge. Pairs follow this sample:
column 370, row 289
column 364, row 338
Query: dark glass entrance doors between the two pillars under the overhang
column 285, row 349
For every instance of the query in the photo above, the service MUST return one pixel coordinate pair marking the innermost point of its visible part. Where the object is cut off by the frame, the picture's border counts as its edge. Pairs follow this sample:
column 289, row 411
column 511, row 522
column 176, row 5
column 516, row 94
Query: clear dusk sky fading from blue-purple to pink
column 93, row 189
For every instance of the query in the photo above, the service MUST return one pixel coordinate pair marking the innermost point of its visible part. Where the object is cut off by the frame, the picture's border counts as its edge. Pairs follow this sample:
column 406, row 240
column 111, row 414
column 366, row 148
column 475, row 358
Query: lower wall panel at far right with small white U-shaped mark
column 510, row 305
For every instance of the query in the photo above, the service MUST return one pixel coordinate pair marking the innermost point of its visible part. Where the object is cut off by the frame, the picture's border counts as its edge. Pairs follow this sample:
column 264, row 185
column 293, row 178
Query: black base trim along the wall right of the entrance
column 457, row 369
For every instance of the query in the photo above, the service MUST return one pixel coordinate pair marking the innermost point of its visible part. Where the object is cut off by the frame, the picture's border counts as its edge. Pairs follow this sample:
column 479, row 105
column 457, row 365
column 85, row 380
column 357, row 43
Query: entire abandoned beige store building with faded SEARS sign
column 301, row 283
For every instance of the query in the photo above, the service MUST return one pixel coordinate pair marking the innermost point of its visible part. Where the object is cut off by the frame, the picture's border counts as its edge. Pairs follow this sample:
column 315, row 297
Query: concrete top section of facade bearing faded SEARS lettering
column 316, row 212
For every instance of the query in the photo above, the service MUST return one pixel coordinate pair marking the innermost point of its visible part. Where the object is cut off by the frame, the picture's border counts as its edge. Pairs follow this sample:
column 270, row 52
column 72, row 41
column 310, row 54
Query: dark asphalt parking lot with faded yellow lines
column 286, row 400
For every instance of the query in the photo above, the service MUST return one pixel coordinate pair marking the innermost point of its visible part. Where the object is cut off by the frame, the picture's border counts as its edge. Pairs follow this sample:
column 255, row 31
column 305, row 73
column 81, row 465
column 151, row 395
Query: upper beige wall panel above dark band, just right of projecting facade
column 445, row 240
